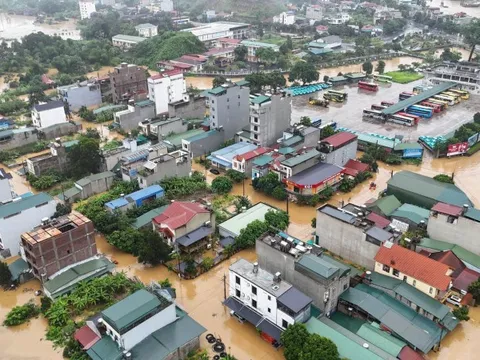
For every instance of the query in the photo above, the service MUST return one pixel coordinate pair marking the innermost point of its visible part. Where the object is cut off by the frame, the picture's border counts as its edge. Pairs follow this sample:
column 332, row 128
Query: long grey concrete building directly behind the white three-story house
column 319, row 276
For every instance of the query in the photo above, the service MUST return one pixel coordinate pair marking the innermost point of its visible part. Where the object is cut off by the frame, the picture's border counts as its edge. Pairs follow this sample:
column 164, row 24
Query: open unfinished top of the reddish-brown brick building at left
column 56, row 227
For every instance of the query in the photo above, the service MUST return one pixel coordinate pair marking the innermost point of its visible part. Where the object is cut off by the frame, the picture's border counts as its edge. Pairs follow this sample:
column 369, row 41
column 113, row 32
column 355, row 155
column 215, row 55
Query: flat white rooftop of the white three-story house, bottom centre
column 263, row 279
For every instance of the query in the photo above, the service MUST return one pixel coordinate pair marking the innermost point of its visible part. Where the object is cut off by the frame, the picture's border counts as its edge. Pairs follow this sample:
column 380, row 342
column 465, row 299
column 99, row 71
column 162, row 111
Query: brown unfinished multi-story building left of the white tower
column 128, row 81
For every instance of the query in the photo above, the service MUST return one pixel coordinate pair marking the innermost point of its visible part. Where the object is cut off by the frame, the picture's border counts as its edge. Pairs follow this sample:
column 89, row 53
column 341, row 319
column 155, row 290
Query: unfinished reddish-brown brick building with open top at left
column 57, row 244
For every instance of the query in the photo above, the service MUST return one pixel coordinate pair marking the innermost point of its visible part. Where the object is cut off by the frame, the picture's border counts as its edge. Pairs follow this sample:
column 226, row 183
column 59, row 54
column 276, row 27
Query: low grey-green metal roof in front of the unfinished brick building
column 67, row 280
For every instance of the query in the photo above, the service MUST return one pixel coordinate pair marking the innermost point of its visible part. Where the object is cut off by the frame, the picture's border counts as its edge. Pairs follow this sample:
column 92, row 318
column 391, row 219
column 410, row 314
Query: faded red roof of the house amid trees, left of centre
column 179, row 214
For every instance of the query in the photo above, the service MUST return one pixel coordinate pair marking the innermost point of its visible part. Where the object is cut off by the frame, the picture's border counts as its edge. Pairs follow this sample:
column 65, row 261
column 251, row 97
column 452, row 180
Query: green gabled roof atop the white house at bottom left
column 131, row 309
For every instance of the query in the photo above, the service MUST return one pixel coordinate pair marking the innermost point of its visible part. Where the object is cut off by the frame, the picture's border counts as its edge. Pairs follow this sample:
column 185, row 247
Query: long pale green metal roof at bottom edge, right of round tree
column 347, row 347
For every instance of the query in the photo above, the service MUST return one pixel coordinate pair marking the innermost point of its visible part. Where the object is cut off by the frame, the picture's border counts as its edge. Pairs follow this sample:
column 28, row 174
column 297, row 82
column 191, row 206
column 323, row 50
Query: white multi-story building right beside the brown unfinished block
column 165, row 88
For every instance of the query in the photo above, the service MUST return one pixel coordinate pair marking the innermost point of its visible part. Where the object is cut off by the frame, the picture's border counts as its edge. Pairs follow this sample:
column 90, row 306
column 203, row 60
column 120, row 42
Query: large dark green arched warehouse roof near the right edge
column 416, row 189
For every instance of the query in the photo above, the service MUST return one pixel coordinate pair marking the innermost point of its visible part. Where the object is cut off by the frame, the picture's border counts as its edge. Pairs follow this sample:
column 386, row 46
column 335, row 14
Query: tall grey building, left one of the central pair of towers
column 229, row 108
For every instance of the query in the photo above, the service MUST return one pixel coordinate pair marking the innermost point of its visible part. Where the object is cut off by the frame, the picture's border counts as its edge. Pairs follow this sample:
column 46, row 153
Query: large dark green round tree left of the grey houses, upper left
column 84, row 158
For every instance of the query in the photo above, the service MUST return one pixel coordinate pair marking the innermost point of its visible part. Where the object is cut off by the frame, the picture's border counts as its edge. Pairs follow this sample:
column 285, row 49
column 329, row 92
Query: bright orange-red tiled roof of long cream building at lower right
column 417, row 266
